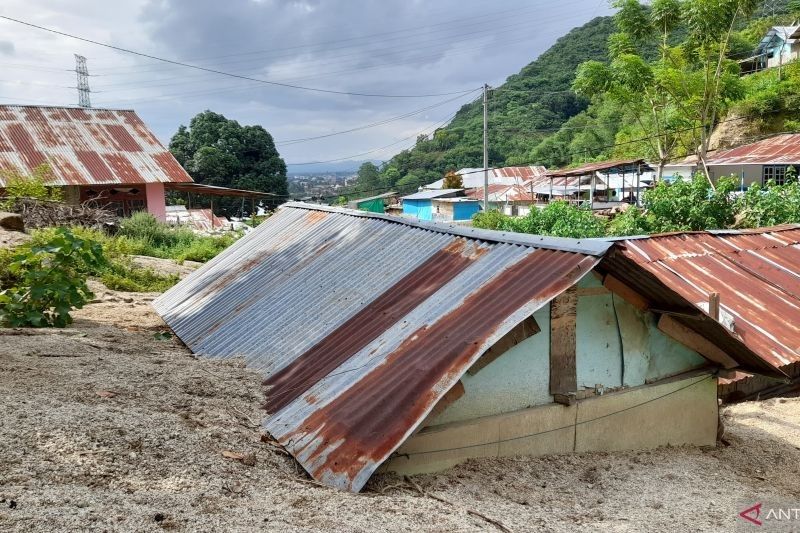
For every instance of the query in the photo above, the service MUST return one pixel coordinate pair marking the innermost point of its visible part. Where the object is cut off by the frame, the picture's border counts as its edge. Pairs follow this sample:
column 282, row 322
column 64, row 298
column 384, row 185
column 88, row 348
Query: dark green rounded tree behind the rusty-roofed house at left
column 218, row 151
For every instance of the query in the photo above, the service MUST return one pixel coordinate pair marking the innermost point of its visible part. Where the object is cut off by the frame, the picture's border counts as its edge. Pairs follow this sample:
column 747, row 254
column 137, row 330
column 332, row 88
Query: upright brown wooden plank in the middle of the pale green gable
column 563, row 322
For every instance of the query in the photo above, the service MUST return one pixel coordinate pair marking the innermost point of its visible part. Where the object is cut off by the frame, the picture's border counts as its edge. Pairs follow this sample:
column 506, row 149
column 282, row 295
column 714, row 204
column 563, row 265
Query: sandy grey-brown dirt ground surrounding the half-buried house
column 106, row 427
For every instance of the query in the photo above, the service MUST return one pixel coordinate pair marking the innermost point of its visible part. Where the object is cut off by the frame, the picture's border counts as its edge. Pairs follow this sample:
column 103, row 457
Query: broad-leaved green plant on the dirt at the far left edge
column 49, row 281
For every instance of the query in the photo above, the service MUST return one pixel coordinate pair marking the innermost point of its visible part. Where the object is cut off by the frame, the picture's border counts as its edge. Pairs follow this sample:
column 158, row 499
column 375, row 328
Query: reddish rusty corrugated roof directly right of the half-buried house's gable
column 756, row 273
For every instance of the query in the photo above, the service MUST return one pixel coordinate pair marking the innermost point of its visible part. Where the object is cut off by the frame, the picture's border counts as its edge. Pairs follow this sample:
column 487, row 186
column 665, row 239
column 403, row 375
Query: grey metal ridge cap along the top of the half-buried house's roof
column 593, row 247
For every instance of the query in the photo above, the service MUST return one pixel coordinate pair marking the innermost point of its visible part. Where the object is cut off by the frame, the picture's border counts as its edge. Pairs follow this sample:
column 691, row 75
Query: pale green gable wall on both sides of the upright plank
column 616, row 345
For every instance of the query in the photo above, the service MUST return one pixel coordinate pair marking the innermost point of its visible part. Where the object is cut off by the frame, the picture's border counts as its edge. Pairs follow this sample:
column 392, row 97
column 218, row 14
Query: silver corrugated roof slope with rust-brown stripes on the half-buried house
column 360, row 323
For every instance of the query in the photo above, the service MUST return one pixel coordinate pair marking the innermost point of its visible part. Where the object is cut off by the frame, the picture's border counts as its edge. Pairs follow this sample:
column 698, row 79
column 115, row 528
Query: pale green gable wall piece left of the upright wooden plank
column 517, row 379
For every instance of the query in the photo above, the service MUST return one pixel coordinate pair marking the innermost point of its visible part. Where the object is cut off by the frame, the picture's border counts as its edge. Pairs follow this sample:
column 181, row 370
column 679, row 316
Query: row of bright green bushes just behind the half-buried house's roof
column 685, row 205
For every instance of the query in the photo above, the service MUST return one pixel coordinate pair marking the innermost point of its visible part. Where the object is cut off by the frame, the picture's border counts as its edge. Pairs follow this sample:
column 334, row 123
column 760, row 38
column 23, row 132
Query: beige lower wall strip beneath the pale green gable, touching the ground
column 673, row 412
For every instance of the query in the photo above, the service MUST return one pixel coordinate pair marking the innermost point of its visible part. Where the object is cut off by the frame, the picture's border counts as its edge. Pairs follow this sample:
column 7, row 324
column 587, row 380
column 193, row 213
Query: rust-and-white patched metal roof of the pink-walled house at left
column 84, row 146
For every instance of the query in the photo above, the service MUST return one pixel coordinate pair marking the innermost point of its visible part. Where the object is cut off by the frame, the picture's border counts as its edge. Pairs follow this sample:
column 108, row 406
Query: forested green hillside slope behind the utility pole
column 528, row 106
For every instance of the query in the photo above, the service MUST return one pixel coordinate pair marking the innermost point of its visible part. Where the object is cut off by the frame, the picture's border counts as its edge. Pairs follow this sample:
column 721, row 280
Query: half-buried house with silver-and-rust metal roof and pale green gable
column 412, row 346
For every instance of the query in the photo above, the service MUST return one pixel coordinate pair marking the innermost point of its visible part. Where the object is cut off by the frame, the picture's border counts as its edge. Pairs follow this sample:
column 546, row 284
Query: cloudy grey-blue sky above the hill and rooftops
column 400, row 48
